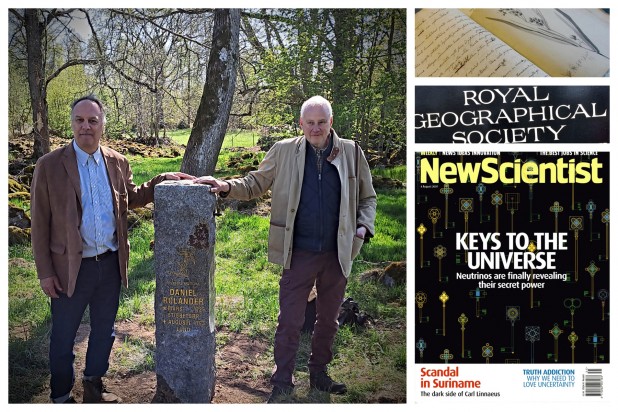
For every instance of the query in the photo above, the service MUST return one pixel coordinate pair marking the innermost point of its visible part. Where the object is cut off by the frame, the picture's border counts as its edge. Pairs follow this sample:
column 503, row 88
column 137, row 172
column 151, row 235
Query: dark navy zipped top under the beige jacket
column 317, row 218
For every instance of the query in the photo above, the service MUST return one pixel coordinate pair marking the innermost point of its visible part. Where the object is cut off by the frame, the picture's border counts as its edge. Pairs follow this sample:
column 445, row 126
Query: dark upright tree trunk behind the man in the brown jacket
column 35, row 29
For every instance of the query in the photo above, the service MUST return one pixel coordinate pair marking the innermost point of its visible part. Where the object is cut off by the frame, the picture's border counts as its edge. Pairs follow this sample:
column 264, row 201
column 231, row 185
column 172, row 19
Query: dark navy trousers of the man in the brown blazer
column 98, row 286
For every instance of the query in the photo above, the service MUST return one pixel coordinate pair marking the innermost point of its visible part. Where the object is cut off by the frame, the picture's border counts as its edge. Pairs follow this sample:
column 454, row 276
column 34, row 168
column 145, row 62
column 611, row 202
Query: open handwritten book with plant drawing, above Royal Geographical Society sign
column 512, row 43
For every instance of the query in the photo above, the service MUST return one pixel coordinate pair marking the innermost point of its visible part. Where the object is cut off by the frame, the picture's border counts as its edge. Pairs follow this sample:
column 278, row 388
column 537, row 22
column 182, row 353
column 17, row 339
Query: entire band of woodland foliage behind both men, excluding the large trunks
column 354, row 57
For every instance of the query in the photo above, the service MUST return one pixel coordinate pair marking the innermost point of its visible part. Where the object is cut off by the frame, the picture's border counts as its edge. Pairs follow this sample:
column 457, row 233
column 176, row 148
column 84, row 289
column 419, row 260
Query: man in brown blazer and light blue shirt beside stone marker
column 80, row 195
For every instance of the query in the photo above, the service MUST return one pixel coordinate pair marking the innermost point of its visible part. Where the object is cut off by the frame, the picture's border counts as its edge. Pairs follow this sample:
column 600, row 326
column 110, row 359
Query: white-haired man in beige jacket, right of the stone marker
column 322, row 210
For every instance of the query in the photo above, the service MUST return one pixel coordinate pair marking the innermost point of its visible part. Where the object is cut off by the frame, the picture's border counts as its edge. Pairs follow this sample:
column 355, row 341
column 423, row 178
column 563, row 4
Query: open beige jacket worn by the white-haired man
column 282, row 170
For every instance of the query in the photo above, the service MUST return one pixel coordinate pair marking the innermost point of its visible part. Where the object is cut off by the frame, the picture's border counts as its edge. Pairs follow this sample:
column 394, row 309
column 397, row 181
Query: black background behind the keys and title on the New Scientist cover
column 493, row 327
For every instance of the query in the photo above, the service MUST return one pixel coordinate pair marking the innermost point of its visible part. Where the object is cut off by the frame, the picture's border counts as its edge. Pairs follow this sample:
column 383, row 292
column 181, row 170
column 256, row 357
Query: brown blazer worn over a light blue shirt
column 56, row 212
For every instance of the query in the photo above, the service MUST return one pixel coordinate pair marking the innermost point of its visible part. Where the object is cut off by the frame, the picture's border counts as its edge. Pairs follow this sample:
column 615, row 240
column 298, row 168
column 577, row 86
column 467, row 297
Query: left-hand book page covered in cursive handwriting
column 450, row 44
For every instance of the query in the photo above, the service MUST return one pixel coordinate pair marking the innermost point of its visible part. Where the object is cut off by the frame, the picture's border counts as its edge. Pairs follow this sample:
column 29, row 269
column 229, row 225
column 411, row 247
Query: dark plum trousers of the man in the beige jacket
column 294, row 287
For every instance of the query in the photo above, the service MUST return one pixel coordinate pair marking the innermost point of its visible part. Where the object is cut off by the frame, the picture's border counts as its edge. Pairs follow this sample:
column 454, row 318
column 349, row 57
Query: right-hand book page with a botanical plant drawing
column 563, row 42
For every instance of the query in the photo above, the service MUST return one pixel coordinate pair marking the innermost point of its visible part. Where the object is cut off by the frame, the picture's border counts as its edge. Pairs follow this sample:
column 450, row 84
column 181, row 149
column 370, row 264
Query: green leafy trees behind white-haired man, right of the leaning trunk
column 359, row 65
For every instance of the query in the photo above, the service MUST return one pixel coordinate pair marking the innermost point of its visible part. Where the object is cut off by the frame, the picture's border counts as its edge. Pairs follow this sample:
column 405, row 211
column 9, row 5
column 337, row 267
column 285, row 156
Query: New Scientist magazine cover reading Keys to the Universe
column 512, row 275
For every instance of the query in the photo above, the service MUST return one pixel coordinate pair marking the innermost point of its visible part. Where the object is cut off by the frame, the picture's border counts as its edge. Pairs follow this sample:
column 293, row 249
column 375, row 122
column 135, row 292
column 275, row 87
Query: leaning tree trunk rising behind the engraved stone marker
column 212, row 115
